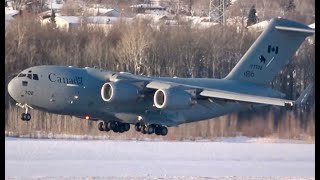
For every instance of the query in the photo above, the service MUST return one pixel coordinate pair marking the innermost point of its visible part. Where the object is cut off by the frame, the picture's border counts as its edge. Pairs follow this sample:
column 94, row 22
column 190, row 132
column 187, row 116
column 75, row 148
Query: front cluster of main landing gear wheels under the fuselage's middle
column 115, row 126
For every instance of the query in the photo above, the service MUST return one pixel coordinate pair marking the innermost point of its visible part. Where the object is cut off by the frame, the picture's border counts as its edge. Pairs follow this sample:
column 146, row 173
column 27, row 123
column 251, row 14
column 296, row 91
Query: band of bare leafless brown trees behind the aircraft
column 140, row 48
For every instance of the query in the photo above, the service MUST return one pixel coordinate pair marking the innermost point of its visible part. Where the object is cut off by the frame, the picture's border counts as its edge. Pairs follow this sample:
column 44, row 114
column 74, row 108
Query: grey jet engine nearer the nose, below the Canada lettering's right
column 119, row 92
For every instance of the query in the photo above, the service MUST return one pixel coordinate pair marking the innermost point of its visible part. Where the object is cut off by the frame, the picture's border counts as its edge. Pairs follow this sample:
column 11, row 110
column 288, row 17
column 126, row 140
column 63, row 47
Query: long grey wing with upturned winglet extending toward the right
column 229, row 95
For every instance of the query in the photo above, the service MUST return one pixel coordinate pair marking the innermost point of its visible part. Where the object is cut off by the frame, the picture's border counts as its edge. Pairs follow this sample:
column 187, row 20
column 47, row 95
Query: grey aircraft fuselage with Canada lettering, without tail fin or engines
column 76, row 91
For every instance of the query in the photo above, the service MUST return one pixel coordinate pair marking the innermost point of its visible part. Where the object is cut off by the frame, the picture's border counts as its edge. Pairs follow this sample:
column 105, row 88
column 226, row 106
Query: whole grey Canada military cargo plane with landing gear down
column 116, row 100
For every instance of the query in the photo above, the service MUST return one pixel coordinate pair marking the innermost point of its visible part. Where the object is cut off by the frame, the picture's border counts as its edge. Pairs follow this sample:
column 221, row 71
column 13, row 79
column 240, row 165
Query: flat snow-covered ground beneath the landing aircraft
column 229, row 158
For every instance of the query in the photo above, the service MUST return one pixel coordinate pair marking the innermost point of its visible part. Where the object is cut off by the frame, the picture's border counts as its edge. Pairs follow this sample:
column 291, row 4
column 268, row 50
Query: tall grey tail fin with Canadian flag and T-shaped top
column 270, row 52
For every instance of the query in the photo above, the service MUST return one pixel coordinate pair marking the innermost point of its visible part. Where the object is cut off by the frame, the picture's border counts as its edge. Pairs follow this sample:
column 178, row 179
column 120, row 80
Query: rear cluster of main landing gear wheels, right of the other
column 152, row 128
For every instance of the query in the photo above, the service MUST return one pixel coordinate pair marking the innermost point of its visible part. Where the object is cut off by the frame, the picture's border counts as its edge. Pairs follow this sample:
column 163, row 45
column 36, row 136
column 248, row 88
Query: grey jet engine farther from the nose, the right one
column 172, row 99
